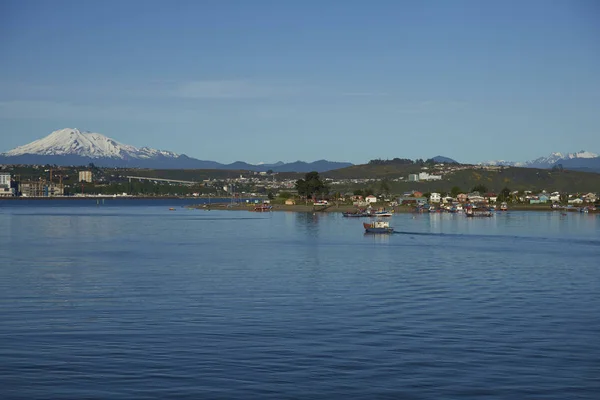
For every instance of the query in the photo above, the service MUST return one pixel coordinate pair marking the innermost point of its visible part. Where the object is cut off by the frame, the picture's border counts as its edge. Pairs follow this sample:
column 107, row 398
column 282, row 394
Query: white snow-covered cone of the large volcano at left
column 71, row 141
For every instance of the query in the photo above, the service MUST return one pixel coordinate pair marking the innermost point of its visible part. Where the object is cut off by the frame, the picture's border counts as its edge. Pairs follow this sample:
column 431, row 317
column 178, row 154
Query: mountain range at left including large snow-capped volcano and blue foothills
column 74, row 147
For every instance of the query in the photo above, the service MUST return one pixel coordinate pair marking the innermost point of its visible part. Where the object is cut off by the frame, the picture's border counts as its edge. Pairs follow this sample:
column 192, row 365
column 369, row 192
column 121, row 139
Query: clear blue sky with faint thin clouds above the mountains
column 267, row 81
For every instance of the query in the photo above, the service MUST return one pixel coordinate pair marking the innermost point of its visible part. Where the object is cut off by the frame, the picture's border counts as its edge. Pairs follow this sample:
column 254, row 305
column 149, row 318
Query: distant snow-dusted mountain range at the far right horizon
column 580, row 161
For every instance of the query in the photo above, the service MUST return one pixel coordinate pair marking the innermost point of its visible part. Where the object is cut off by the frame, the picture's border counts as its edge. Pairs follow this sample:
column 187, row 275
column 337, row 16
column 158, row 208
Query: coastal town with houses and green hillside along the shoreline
column 278, row 188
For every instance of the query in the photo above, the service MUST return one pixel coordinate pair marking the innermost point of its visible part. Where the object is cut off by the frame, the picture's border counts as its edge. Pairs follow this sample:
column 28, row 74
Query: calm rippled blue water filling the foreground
column 130, row 300
